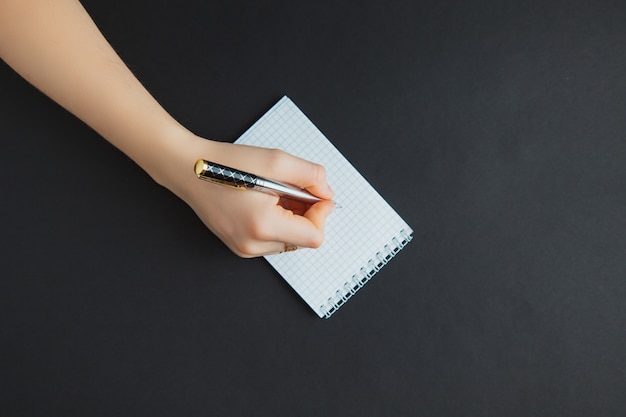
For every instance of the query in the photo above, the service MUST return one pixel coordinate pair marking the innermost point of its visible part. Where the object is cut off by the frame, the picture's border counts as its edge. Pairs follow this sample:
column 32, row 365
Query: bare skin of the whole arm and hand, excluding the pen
column 55, row 45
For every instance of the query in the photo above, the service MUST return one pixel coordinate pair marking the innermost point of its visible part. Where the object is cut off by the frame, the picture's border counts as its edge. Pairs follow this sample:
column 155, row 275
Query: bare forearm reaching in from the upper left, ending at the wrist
column 55, row 45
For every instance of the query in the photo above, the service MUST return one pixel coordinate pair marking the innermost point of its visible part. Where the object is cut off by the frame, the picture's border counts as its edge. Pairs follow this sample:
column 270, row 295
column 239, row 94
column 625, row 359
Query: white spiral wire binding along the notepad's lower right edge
column 365, row 273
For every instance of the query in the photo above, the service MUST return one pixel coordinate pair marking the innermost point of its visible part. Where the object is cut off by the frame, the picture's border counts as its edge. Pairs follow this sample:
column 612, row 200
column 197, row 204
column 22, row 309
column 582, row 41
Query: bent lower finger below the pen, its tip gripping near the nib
column 305, row 231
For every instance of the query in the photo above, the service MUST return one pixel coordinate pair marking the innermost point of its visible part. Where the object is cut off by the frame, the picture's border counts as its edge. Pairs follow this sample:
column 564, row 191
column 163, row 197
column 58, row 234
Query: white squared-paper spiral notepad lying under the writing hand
column 361, row 237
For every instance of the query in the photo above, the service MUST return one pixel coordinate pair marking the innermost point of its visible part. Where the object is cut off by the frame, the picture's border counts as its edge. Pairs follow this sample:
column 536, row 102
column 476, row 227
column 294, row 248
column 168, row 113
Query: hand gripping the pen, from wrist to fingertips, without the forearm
column 250, row 223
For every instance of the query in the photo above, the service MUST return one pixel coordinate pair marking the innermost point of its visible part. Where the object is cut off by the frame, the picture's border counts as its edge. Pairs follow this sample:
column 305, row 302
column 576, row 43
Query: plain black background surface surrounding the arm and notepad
column 496, row 129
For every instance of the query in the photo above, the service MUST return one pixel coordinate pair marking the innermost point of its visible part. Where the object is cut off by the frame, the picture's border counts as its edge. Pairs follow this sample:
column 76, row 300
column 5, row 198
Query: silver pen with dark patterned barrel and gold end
column 220, row 174
